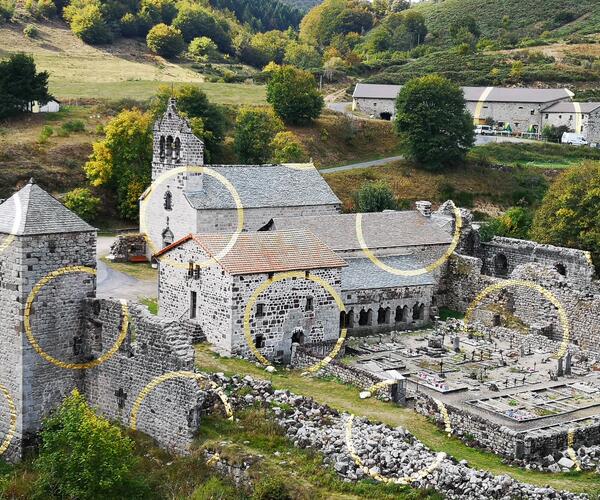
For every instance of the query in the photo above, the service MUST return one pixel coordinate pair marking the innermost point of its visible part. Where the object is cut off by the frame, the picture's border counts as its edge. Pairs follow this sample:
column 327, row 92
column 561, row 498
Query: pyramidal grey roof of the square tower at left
column 33, row 211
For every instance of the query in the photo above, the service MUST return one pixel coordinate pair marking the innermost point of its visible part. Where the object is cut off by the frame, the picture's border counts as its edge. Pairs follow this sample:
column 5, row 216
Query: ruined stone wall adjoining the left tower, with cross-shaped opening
column 170, row 413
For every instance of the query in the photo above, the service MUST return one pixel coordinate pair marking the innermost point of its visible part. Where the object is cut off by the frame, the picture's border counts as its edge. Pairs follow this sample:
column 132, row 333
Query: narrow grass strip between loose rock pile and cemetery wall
column 345, row 398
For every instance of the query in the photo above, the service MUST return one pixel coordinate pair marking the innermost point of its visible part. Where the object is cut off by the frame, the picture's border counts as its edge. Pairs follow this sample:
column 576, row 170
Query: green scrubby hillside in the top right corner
column 526, row 18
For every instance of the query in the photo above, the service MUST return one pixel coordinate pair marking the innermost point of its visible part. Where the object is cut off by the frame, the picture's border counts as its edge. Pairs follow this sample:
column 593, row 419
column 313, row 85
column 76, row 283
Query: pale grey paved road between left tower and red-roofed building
column 119, row 285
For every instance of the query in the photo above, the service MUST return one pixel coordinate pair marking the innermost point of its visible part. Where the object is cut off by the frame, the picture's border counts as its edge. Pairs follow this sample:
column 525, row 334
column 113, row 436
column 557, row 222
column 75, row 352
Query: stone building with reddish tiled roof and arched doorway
column 210, row 279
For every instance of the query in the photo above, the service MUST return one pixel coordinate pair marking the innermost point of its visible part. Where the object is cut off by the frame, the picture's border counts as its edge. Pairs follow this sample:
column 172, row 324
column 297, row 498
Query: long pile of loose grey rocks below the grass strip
column 383, row 451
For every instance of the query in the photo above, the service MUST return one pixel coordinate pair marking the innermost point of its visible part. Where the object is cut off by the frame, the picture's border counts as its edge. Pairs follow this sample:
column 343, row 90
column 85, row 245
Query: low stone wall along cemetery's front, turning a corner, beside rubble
column 528, row 446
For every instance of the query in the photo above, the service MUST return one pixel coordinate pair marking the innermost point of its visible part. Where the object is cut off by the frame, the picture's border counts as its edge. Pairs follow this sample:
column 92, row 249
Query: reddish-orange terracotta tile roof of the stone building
column 266, row 251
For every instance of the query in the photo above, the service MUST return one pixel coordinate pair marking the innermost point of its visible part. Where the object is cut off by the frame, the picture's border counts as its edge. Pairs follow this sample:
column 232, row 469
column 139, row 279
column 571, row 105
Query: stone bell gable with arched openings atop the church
column 174, row 144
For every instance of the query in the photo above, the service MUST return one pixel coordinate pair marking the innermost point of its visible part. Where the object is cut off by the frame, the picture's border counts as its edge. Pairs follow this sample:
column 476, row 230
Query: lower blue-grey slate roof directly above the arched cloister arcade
column 362, row 274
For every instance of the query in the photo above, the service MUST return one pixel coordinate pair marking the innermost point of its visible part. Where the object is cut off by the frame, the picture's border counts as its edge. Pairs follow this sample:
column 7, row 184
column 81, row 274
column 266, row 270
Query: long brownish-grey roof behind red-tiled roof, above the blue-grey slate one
column 380, row 230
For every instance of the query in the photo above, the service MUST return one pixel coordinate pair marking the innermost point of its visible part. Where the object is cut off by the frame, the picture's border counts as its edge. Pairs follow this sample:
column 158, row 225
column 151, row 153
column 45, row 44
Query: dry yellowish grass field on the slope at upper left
column 125, row 69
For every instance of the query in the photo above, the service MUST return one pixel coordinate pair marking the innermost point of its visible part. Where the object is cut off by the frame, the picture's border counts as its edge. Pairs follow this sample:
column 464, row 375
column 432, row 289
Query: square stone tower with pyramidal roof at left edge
column 38, row 236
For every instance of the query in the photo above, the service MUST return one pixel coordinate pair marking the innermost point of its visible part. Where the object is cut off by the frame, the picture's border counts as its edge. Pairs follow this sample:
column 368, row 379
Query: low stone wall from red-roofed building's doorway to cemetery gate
column 303, row 357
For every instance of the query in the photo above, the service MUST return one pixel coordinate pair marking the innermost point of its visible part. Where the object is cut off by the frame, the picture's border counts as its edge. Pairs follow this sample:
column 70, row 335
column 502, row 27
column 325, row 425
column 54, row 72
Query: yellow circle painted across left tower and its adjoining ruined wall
column 61, row 364
